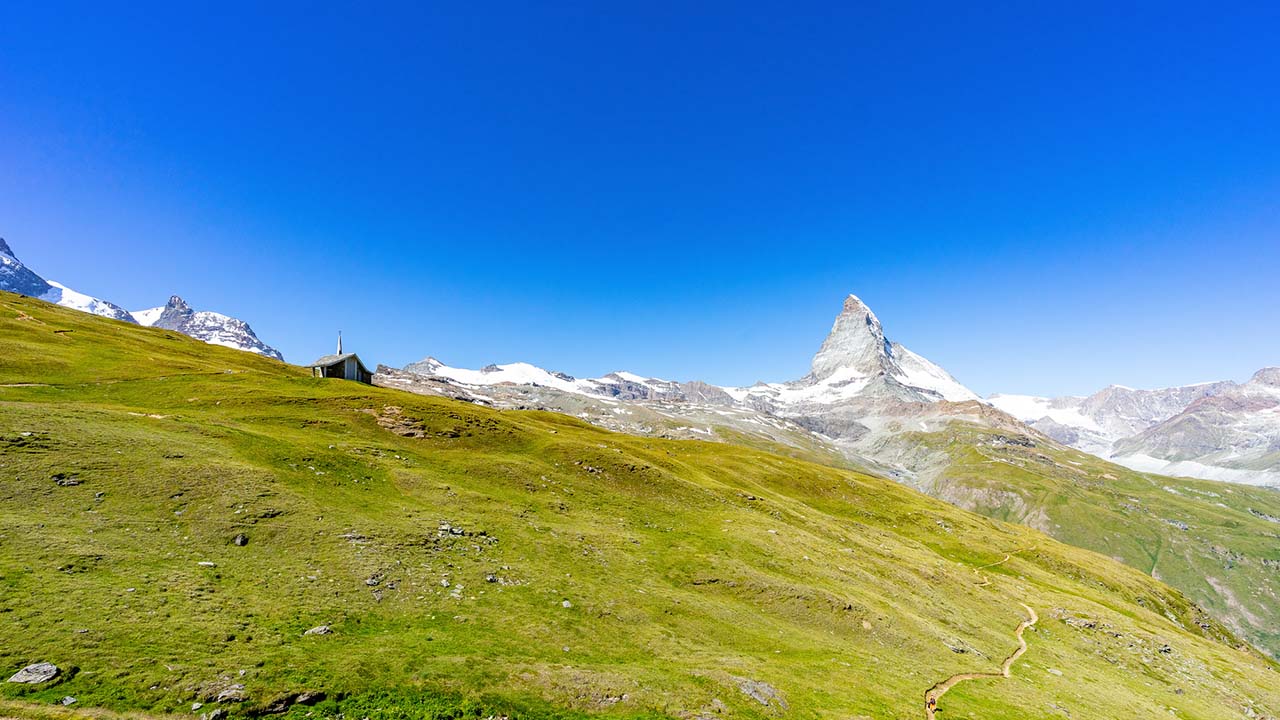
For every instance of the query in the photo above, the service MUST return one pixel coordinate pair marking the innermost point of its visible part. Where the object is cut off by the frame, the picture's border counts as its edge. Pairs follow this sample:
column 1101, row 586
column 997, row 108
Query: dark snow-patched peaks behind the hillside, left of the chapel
column 176, row 316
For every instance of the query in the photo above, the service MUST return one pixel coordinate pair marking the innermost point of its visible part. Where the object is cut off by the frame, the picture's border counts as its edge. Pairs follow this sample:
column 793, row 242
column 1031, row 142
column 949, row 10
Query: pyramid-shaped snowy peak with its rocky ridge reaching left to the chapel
column 862, row 388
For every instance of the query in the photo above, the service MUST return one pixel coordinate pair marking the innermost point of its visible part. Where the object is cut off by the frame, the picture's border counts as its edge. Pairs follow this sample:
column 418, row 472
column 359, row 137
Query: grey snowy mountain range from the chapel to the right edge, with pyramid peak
column 863, row 391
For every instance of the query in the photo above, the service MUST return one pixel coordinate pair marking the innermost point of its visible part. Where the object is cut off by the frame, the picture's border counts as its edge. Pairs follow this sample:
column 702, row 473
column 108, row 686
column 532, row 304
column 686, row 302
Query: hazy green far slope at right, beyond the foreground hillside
column 1217, row 543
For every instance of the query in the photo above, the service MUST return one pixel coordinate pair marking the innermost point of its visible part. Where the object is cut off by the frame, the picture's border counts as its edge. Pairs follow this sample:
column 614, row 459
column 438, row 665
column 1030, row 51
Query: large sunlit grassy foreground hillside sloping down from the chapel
column 473, row 563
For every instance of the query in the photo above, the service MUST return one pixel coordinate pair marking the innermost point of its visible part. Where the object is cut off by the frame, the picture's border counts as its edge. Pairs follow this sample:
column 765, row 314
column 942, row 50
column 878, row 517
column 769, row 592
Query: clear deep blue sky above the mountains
column 1041, row 200
